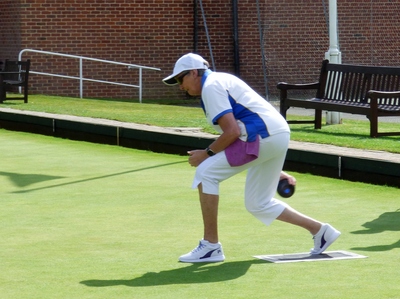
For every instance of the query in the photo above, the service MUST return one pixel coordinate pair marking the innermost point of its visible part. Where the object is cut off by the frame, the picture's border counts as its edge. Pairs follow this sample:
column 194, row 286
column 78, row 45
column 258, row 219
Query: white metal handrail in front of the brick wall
column 81, row 78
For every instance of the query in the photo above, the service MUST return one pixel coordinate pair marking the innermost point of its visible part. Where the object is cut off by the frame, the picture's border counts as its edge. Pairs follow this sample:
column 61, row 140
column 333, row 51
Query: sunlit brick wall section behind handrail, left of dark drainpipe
column 137, row 32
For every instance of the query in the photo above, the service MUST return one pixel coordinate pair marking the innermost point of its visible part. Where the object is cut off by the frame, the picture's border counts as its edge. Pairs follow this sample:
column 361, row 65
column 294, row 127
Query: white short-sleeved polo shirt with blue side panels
column 223, row 93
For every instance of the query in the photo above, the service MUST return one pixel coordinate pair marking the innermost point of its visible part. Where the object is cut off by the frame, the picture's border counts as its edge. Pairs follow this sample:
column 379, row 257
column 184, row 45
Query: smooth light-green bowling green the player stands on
column 83, row 220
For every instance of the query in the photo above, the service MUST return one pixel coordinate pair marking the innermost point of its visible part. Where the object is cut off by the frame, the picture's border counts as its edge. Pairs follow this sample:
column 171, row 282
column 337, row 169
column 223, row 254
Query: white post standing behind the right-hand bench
column 333, row 54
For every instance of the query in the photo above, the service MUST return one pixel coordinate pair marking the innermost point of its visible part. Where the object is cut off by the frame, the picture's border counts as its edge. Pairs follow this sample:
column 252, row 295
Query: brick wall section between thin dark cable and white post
column 295, row 39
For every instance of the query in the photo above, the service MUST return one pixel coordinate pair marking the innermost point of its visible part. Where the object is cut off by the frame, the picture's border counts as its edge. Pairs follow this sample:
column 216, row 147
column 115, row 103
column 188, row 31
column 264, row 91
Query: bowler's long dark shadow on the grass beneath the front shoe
column 193, row 274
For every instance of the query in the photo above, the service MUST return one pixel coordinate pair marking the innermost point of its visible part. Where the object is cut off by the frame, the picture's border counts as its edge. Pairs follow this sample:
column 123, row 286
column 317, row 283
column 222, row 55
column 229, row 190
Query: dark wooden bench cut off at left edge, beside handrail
column 14, row 74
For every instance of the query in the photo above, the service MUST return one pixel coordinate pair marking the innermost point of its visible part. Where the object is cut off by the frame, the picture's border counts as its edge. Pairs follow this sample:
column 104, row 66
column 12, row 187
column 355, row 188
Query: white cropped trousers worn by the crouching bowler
column 261, row 180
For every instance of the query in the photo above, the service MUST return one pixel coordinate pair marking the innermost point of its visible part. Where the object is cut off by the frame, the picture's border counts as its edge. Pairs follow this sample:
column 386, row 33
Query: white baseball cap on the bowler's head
column 186, row 62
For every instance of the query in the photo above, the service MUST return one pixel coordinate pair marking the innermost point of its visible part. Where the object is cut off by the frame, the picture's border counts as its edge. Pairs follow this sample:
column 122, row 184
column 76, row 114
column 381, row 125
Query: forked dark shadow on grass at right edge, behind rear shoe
column 388, row 221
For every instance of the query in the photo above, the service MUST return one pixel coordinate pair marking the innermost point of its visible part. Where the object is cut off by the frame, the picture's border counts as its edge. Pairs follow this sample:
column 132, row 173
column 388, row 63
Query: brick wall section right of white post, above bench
column 371, row 34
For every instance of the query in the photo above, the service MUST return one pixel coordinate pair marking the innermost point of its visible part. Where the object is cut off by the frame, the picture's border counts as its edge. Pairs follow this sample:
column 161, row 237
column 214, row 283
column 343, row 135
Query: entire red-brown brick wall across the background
column 157, row 32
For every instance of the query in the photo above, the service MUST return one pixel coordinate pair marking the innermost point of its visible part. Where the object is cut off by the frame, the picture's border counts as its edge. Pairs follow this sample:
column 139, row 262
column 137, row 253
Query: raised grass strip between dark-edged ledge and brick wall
column 351, row 133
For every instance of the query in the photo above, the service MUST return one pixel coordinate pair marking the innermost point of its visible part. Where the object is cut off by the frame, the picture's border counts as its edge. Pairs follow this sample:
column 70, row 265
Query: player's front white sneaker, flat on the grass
column 206, row 252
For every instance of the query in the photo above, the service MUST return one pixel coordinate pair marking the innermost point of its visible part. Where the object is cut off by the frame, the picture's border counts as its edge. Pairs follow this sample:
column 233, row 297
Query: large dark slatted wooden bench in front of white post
column 373, row 91
